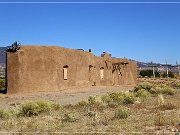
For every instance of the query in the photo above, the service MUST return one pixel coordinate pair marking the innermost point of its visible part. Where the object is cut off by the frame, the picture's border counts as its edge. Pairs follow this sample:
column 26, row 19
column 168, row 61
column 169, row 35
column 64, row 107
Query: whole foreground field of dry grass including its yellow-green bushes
column 147, row 109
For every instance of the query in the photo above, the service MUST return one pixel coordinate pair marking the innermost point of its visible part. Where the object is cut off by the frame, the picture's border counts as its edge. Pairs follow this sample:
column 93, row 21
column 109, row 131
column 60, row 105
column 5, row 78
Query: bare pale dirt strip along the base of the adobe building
column 68, row 96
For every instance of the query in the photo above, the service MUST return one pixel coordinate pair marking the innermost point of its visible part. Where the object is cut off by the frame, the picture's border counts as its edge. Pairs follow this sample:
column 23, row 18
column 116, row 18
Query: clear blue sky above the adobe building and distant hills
column 143, row 32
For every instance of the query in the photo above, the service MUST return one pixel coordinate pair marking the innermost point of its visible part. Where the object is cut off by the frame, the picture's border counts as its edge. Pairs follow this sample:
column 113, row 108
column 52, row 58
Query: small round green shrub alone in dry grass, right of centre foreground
column 121, row 114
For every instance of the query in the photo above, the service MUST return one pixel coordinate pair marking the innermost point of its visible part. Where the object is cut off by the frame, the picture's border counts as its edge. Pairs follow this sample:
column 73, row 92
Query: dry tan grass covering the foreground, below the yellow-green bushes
column 107, row 116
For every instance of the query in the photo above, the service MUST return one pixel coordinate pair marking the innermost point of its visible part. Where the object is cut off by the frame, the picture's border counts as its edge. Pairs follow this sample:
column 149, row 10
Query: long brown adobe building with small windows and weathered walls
column 51, row 68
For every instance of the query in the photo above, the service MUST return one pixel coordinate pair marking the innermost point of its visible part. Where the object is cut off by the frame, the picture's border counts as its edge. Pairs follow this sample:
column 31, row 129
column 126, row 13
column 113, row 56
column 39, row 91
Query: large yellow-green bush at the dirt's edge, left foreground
column 33, row 108
